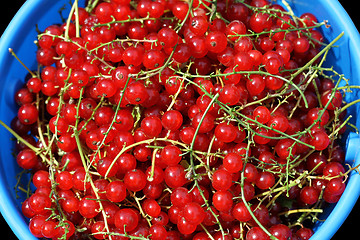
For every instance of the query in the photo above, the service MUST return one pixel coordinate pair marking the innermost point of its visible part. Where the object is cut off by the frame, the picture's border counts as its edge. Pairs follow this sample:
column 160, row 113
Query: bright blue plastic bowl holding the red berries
column 21, row 33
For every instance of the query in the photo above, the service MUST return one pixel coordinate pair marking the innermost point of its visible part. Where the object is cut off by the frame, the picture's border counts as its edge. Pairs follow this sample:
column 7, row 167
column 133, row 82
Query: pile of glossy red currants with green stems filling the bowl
column 169, row 119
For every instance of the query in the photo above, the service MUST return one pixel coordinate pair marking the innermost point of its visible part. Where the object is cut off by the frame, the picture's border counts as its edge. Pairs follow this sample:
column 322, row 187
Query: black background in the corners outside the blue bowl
column 349, row 226
